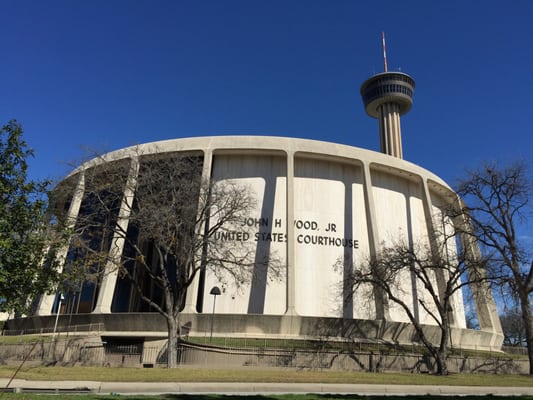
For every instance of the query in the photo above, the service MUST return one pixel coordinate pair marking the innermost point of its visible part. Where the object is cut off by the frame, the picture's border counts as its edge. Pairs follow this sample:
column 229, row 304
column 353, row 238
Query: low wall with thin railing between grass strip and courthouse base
column 97, row 353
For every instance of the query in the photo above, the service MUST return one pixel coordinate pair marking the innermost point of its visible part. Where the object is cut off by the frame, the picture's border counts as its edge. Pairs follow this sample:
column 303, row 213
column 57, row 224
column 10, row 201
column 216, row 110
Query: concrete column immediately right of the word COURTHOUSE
column 380, row 302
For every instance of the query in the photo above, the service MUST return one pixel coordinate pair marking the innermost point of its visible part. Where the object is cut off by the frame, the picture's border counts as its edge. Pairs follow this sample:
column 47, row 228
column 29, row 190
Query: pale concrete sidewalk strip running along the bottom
column 256, row 388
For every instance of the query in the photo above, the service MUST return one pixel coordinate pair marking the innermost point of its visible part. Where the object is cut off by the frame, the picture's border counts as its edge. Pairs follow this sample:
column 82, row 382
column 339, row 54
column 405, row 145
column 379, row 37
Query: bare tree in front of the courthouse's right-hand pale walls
column 440, row 272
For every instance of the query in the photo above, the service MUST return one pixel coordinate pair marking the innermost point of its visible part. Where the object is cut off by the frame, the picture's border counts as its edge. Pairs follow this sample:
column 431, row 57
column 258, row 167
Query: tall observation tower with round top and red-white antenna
column 387, row 96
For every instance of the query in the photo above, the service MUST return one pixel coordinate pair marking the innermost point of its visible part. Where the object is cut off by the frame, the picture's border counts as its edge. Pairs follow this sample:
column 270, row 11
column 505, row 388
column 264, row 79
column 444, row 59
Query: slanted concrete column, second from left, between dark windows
column 109, row 281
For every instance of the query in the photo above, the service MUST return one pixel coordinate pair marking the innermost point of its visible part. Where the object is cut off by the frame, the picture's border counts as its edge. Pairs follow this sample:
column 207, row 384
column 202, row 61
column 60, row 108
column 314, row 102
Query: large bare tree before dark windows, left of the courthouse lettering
column 153, row 220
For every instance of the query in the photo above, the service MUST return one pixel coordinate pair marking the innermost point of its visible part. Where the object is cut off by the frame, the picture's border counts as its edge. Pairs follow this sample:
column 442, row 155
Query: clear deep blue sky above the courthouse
column 107, row 74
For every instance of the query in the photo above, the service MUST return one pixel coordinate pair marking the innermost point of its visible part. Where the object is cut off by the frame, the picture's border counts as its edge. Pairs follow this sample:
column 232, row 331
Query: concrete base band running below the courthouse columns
column 259, row 326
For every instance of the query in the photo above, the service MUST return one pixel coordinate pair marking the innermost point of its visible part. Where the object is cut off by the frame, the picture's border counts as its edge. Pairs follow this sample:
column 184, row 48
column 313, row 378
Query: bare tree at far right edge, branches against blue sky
column 498, row 206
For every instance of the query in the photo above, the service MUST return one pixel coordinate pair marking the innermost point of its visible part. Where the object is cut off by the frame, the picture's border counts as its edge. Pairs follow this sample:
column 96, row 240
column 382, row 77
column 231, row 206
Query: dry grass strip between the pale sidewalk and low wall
column 256, row 375
